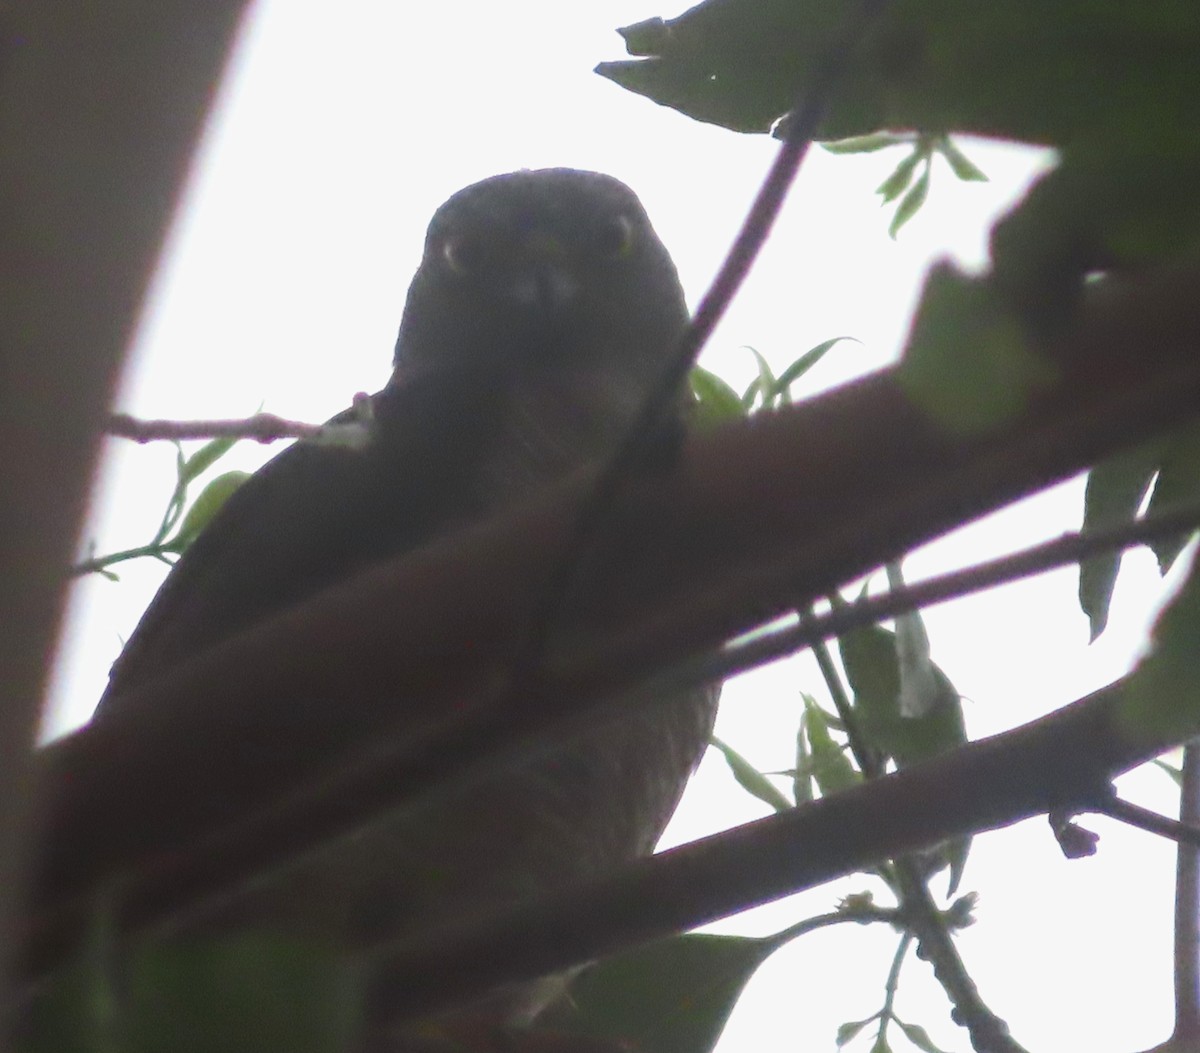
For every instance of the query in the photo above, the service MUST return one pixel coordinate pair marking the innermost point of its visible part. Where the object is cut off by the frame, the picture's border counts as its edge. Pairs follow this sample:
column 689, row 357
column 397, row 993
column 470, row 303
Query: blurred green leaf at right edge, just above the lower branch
column 1162, row 696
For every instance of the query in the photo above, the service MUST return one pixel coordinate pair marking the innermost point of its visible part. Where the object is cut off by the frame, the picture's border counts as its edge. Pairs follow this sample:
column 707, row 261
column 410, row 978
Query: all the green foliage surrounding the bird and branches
column 1113, row 88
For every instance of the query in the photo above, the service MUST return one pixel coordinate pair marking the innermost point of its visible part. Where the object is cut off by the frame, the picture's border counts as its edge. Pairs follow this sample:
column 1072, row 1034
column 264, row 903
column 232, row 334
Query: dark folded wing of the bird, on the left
column 313, row 516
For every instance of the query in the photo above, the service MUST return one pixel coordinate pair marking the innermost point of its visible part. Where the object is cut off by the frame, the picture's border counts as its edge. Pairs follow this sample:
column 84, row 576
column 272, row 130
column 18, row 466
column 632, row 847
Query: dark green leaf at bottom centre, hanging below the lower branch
column 673, row 996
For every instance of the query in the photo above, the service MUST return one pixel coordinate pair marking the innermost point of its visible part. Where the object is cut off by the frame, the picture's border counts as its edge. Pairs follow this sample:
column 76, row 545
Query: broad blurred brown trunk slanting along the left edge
column 99, row 115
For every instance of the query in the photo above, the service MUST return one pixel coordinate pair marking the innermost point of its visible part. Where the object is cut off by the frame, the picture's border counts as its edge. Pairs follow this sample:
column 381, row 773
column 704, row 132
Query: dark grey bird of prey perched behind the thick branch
column 544, row 312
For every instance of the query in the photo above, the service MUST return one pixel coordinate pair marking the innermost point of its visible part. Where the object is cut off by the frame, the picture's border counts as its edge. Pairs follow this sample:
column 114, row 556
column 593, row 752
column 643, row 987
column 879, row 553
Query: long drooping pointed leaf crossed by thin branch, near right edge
column 1115, row 491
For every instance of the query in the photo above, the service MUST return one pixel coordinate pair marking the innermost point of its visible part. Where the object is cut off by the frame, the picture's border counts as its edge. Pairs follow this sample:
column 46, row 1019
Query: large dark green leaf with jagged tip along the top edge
column 1019, row 70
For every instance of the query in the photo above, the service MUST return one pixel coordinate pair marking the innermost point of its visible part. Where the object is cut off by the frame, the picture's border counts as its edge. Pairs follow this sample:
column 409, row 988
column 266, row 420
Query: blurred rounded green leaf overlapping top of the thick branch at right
column 968, row 365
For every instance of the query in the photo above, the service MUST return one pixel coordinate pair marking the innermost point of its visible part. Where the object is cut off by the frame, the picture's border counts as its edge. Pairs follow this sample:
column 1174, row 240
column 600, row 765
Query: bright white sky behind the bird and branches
column 337, row 135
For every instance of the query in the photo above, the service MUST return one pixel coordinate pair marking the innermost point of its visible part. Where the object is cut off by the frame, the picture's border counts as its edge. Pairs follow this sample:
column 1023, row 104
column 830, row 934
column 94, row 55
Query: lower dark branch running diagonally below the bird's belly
column 1063, row 761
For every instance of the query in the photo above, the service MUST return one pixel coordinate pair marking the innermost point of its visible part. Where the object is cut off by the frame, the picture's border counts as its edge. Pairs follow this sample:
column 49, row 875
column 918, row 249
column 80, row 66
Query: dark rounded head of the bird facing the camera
column 544, row 270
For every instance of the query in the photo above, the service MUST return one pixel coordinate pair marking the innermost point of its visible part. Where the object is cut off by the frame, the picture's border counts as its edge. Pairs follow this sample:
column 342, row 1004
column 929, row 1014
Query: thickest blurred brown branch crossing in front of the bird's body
column 692, row 559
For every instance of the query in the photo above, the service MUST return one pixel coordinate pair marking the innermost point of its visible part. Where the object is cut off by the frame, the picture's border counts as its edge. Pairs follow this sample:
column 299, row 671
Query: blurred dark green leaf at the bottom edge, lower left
column 248, row 992
